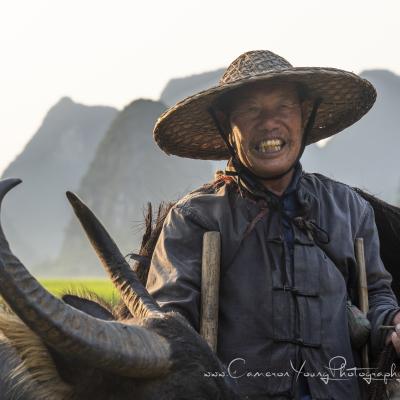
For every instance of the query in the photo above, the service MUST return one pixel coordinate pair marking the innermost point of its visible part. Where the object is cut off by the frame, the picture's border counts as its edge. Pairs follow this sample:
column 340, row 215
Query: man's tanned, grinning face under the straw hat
column 267, row 125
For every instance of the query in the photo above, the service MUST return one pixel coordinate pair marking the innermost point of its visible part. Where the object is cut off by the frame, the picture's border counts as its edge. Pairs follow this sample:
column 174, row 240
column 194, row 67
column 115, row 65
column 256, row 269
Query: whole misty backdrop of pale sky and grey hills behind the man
column 83, row 84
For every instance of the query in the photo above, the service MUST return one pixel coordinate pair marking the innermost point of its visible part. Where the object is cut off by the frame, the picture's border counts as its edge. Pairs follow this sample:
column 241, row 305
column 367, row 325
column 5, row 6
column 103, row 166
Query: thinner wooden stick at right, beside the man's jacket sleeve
column 362, row 291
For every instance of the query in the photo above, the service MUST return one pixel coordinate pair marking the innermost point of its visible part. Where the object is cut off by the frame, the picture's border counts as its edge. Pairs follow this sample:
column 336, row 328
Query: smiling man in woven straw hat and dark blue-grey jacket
column 287, row 263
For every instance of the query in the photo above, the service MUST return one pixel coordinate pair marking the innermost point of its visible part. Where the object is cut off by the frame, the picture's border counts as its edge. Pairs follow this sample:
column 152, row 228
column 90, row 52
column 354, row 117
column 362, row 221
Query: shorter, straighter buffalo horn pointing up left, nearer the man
column 135, row 296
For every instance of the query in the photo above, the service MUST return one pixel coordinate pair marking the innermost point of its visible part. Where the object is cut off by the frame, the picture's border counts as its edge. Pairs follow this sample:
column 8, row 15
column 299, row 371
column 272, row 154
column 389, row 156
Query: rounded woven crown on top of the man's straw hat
column 254, row 63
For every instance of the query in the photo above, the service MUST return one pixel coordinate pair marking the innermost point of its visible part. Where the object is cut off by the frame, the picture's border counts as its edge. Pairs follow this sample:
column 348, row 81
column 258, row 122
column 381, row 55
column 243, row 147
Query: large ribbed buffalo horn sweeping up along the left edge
column 121, row 348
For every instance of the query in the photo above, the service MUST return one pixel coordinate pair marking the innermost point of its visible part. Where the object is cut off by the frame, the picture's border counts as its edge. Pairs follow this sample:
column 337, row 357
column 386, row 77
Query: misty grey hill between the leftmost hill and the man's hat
column 128, row 171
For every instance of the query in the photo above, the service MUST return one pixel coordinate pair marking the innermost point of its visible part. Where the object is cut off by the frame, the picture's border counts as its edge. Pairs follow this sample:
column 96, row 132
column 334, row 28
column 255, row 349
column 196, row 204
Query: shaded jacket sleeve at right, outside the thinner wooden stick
column 383, row 304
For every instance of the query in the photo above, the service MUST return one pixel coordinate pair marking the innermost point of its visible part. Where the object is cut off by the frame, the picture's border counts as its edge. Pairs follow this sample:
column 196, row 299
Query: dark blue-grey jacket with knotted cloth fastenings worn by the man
column 277, row 313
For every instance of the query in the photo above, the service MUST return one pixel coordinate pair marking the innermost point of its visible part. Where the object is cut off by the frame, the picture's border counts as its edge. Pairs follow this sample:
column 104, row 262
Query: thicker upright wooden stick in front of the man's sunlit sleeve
column 210, row 273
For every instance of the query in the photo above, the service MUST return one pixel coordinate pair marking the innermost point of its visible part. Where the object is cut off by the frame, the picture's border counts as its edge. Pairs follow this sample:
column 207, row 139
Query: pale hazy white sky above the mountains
column 111, row 52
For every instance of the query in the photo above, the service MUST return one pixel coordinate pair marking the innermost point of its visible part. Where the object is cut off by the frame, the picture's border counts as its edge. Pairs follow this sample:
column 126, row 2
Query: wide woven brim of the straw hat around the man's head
column 188, row 130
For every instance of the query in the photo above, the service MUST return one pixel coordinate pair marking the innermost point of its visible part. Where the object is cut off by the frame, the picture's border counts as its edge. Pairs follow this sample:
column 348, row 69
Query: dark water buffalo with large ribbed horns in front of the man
column 80, row 348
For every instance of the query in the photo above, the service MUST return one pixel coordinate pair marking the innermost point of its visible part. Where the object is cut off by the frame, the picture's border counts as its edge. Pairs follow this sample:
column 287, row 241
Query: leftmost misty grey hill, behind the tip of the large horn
column 56, row 157
